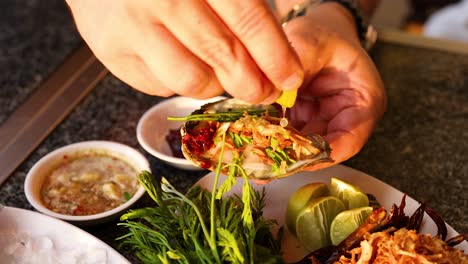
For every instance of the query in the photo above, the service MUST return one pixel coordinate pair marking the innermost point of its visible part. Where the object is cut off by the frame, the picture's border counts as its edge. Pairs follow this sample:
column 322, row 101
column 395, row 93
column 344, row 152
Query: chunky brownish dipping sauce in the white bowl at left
column 89, row 182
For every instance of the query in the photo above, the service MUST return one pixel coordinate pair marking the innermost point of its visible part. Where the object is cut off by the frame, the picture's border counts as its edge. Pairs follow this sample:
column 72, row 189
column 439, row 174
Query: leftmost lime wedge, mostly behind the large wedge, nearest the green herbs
column 299, row 200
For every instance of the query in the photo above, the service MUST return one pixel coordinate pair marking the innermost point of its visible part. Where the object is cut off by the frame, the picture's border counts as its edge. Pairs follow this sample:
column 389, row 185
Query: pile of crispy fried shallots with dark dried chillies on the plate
column 393, row 238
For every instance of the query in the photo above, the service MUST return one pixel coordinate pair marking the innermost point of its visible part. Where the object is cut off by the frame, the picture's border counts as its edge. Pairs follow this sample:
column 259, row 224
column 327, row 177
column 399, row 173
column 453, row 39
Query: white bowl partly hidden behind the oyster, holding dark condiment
column 153, row 127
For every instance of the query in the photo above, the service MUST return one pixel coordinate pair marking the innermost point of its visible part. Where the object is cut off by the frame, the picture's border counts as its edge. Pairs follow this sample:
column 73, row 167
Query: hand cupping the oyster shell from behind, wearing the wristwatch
column 343, row 96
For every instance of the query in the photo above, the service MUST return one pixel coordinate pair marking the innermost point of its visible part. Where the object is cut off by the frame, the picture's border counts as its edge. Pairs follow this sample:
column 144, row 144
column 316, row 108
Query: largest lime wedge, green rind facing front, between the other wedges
column 314, row 220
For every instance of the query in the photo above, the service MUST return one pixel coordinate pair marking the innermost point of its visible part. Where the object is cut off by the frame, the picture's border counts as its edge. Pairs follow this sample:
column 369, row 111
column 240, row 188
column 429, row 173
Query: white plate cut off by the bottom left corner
column 31, row 237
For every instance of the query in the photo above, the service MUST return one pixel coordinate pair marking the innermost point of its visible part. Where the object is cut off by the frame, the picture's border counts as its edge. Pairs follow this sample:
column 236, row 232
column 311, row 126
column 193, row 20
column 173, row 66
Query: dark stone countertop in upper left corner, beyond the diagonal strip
column 35, row 37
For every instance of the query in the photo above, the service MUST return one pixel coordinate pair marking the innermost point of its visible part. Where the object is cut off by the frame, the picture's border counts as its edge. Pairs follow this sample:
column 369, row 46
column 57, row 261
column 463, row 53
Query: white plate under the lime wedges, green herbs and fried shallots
column 279, row 191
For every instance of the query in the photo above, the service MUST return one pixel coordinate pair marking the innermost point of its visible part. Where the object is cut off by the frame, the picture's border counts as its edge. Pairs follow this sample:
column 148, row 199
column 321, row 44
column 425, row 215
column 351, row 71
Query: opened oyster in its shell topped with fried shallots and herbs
column 249, row 138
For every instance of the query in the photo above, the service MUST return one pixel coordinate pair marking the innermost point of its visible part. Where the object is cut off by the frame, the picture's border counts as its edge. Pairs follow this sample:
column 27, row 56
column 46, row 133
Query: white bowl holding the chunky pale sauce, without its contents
column 38, row 173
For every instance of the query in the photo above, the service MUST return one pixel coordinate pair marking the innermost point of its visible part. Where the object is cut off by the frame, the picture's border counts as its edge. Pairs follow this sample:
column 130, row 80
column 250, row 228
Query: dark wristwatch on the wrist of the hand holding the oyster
column 366, row 32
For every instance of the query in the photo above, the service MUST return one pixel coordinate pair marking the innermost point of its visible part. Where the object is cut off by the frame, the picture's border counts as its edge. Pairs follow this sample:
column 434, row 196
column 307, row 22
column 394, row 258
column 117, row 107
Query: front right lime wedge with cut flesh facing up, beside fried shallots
column 346, row 222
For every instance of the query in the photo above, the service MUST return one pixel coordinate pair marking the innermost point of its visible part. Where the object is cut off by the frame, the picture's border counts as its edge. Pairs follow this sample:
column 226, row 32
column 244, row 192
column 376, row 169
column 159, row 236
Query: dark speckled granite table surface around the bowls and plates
column 419, row 146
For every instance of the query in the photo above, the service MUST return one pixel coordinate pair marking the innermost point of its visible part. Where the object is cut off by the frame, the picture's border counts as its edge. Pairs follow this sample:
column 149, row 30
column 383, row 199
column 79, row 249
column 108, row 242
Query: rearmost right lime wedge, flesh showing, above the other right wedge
column 350, row 195
